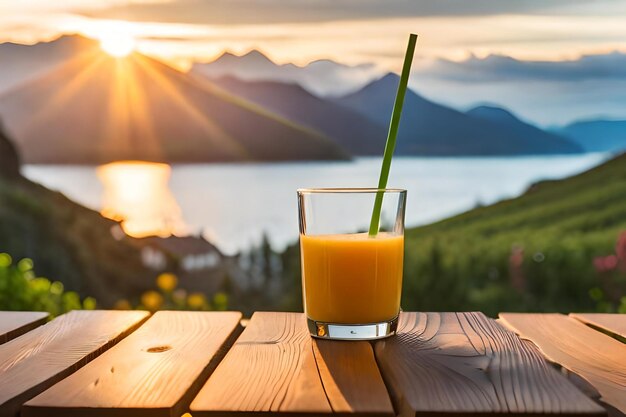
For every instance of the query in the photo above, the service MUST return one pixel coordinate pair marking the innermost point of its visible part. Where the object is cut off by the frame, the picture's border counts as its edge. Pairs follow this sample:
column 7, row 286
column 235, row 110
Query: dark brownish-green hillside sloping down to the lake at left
column 69, row 243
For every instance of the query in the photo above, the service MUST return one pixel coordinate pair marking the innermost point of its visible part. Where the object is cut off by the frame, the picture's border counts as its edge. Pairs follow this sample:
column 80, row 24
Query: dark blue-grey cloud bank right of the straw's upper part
column 495, row 68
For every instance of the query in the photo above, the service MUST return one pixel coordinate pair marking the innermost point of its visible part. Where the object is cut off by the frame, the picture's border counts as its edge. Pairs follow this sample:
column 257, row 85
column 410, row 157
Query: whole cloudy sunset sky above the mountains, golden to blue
column 569, row 53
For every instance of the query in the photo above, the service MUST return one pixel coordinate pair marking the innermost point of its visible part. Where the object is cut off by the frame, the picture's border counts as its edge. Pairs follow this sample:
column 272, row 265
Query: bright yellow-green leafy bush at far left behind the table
column 21, row 289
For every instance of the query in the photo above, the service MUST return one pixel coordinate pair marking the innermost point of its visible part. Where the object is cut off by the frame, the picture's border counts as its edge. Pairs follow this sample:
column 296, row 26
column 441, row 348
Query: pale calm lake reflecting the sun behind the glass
column 232, row 205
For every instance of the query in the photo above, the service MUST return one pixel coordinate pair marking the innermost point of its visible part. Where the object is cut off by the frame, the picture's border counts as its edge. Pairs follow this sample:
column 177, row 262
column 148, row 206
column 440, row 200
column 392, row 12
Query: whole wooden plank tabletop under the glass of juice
column 128, row 363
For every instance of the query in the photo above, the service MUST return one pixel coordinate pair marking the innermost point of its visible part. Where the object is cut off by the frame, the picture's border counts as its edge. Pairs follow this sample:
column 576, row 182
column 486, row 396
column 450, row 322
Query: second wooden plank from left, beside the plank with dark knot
column 38, row 359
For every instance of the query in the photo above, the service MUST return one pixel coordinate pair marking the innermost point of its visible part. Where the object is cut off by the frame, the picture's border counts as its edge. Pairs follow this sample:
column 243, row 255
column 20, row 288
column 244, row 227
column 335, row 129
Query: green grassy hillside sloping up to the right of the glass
column 535, row 252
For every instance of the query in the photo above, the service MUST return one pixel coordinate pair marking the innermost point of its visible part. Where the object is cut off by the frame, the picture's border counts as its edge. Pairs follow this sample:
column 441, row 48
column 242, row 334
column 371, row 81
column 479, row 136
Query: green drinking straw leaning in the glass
column 392, row 135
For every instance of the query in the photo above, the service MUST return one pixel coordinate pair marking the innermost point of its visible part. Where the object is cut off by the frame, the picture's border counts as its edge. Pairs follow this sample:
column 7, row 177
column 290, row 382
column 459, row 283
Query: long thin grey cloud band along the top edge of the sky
column 298, row 11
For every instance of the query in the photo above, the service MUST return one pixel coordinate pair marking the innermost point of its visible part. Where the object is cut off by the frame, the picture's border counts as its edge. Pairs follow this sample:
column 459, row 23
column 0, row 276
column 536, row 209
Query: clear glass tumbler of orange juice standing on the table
column 351, row 280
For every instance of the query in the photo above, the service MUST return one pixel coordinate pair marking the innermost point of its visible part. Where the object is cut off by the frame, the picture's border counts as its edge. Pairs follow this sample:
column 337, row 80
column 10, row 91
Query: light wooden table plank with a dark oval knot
column 156, row 371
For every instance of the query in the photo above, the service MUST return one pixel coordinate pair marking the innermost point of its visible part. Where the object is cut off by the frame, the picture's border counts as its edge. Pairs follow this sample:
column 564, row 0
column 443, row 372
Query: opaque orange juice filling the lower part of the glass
column 352, row 278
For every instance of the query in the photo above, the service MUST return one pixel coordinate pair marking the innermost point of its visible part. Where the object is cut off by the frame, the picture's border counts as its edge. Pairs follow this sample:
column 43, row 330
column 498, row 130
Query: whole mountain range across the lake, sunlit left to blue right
column 67, row 102
